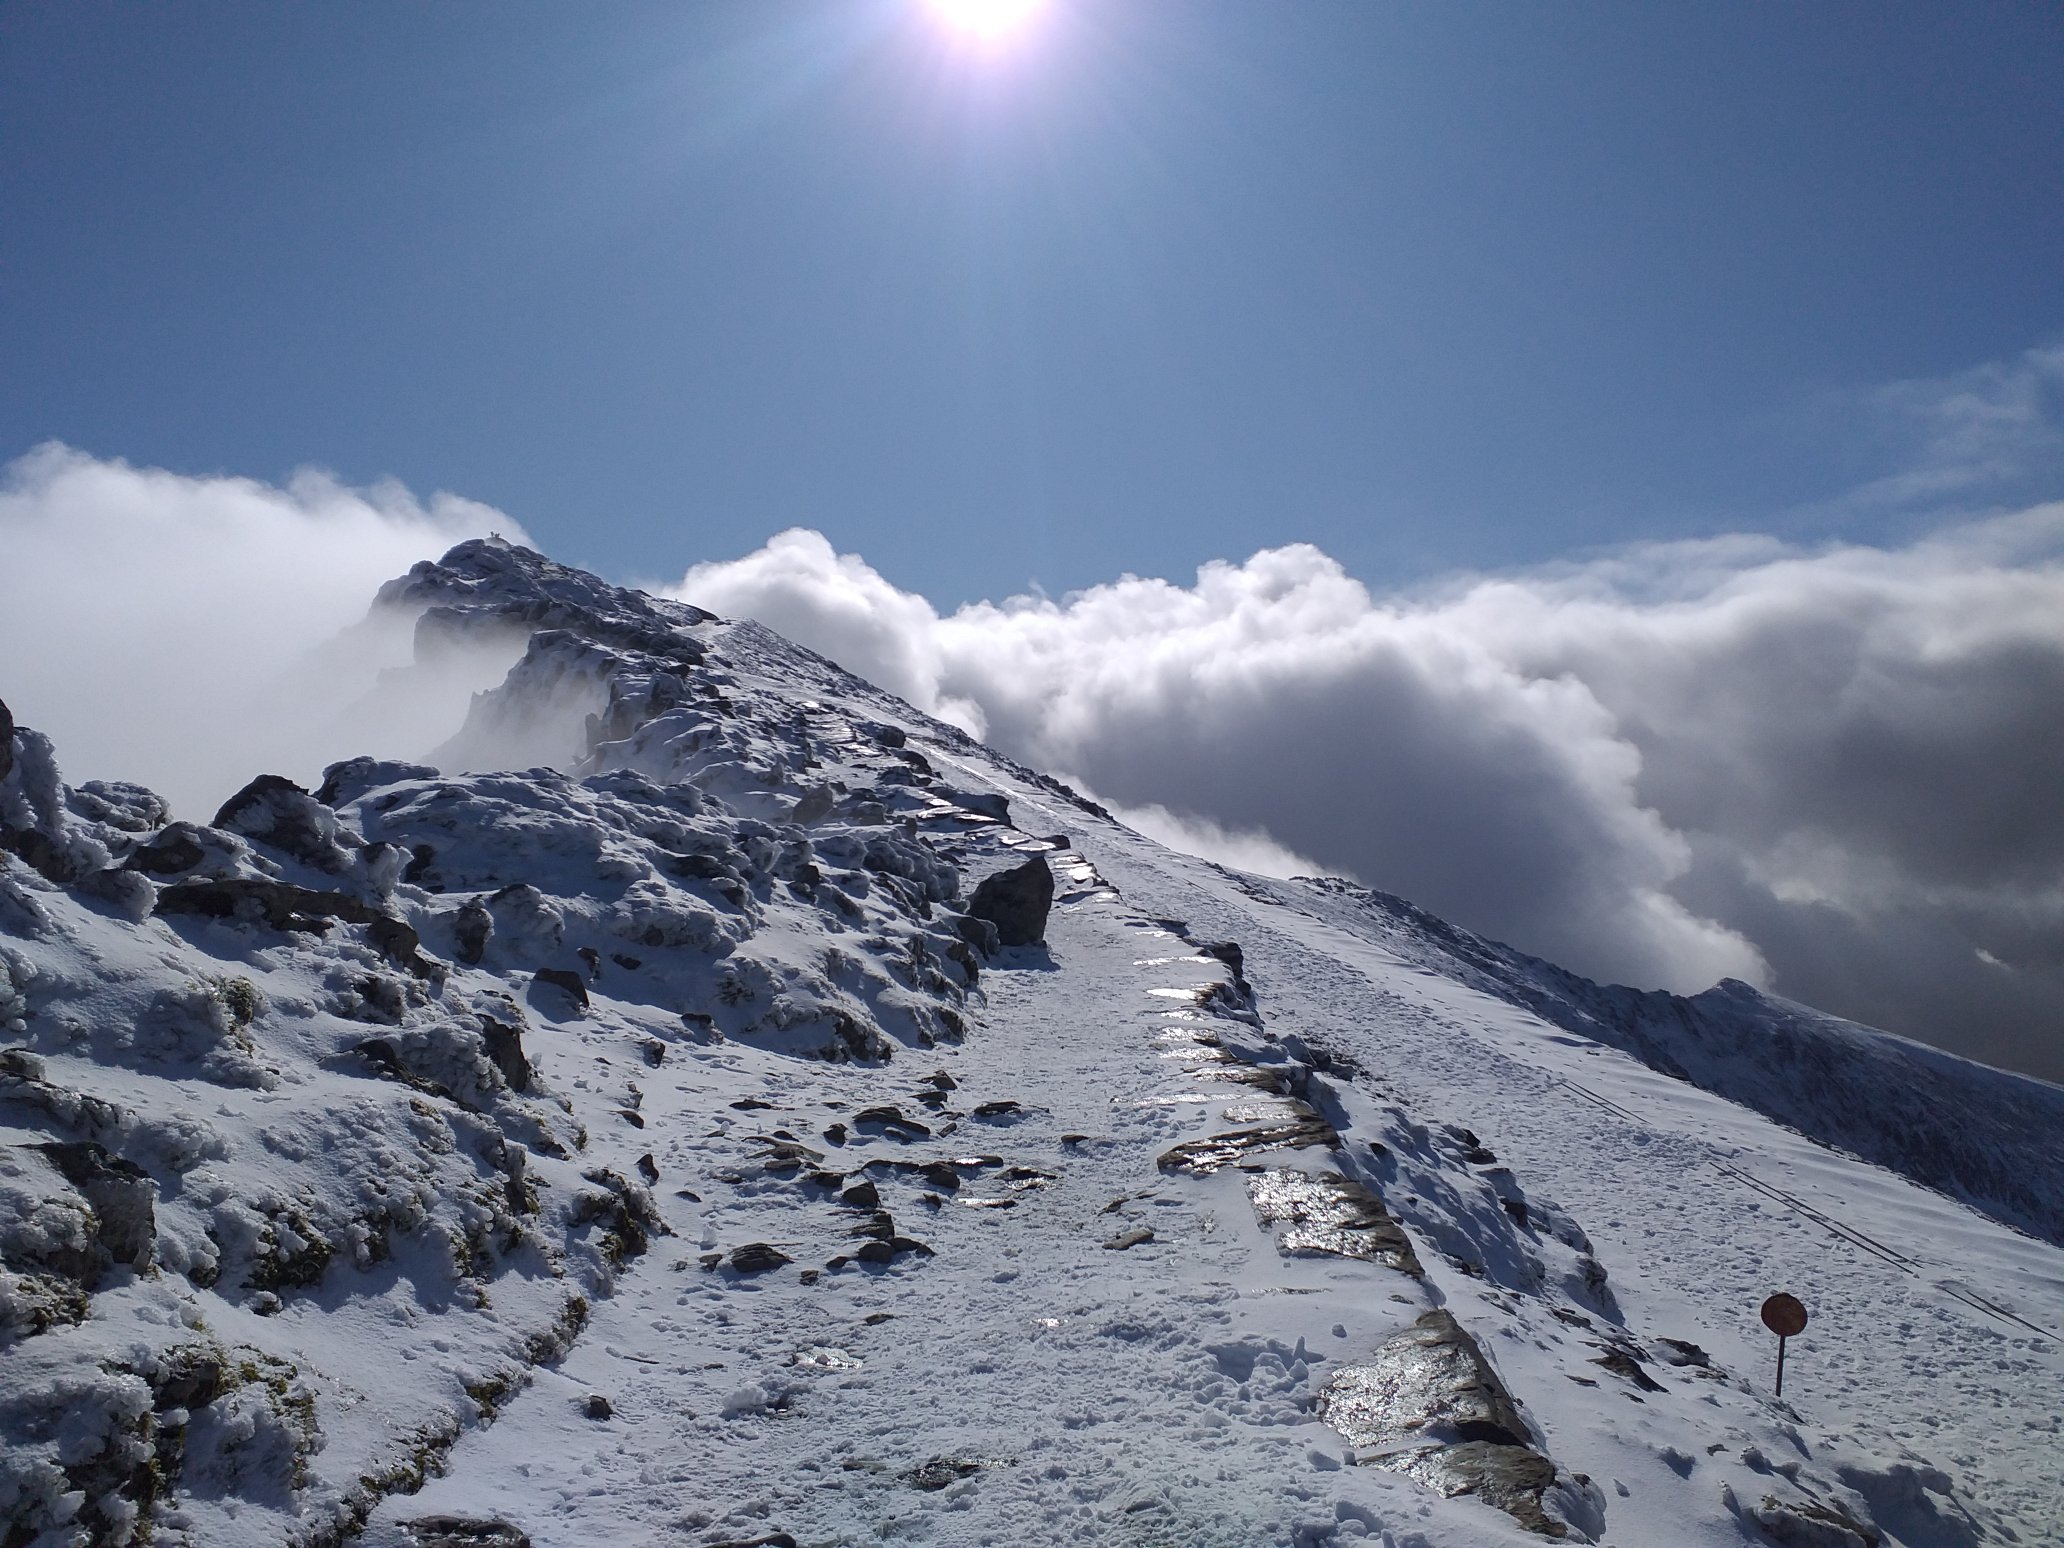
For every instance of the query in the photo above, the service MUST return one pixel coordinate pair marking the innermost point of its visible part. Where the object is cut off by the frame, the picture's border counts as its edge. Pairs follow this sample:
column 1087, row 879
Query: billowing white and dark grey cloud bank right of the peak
column 1834, row 773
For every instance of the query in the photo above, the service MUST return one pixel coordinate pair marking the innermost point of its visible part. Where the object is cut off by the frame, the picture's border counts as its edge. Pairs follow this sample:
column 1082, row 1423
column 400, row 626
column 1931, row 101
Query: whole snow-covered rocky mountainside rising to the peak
column 649, row 1149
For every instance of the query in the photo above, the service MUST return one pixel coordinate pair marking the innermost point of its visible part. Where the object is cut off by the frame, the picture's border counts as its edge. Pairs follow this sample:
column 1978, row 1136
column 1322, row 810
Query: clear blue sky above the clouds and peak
column 1429, row 286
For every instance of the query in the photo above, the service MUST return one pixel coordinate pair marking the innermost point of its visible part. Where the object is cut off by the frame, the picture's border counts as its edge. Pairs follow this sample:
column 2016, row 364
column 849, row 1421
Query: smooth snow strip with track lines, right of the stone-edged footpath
column 1896, row 1361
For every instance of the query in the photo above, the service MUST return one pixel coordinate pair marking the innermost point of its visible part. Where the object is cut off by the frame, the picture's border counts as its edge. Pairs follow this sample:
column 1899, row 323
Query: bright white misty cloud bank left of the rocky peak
column 193, row 633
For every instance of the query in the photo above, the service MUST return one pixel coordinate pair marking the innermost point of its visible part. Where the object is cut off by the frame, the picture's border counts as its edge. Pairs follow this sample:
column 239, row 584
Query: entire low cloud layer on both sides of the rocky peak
column 1834, row 773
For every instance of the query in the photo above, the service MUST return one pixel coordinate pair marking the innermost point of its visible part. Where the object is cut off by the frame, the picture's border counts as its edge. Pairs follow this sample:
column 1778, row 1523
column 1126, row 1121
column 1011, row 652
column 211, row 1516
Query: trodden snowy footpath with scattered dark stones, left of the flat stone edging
column 1089, row 1394
